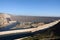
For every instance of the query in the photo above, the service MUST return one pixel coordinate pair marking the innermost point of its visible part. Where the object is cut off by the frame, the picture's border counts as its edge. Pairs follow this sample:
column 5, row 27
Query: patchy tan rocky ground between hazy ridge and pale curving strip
column 28, row 25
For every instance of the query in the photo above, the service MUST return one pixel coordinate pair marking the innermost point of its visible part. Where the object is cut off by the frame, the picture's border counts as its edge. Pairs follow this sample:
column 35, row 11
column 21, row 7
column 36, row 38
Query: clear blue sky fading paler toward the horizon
column 31, row 7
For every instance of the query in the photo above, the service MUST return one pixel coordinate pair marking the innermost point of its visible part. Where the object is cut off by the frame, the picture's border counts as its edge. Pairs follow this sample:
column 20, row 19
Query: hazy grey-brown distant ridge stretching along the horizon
column 33, row 18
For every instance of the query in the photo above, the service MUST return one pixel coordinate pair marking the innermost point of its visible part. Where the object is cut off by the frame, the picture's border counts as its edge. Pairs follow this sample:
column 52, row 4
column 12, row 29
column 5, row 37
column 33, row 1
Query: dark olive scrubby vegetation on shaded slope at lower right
column 47, row 35
